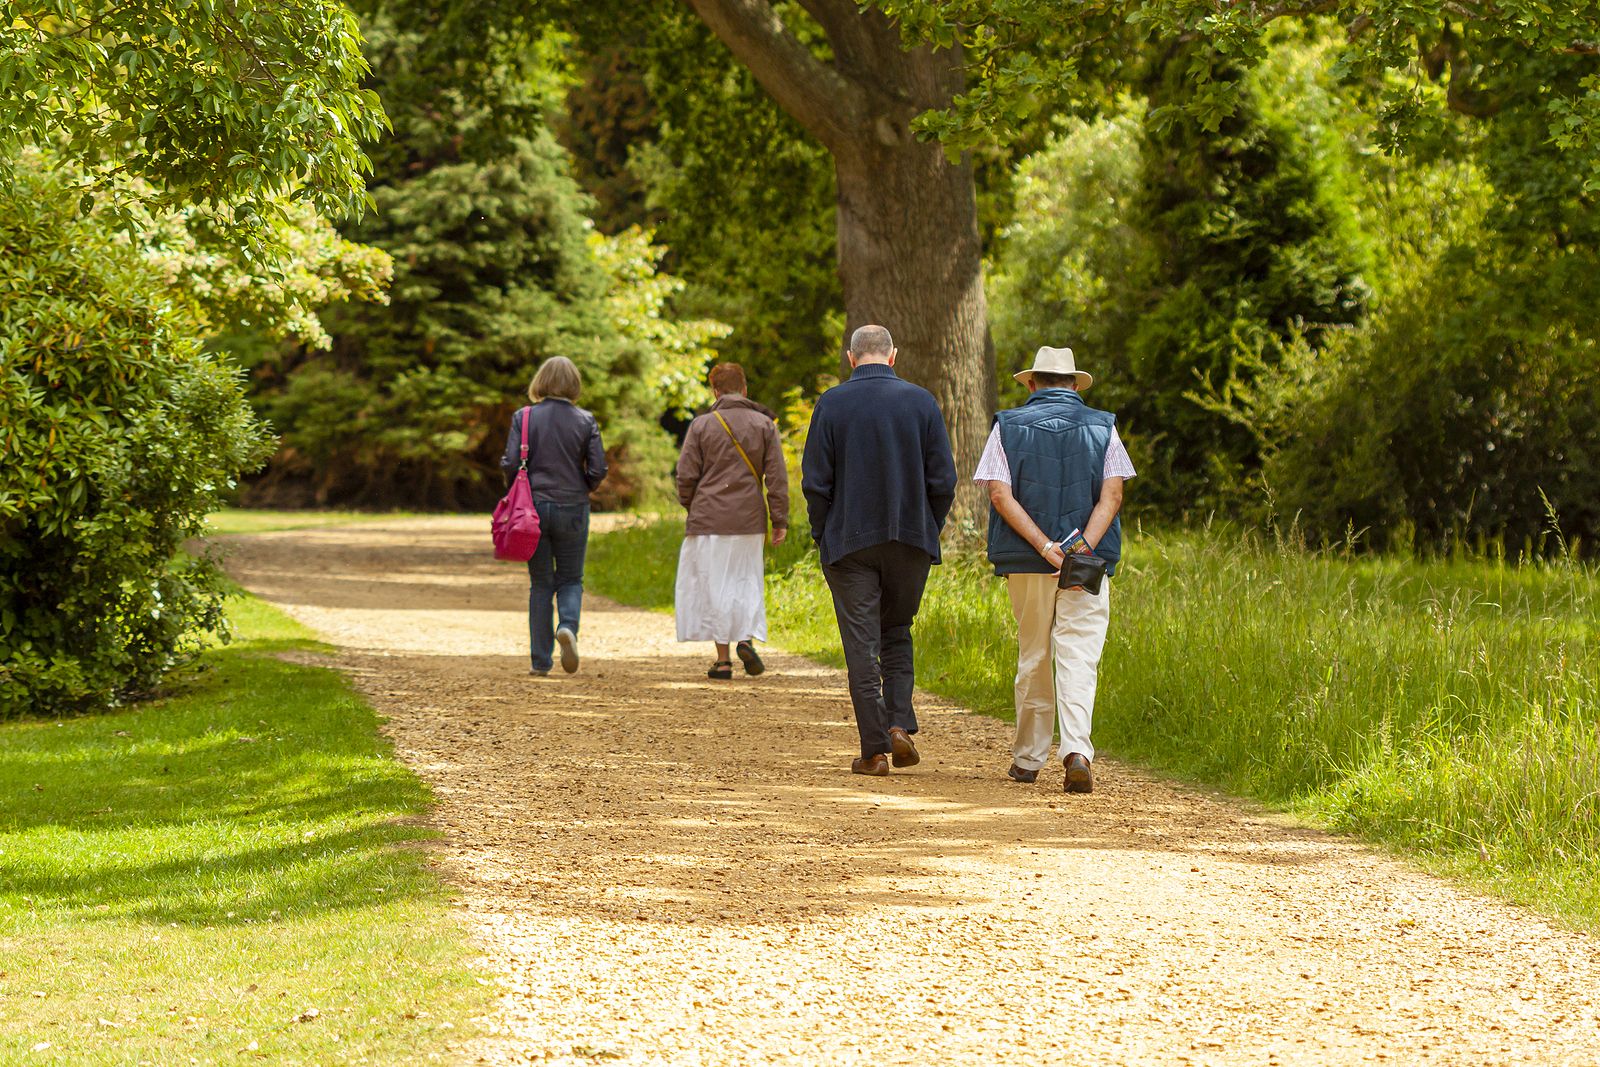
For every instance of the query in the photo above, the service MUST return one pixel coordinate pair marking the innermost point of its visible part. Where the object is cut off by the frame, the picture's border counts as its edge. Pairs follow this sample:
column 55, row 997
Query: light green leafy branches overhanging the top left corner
column 233, row 105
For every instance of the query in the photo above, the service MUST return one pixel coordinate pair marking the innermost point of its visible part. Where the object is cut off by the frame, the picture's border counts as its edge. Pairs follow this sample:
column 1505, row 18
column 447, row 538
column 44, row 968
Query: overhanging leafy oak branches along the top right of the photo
column 1042, row 55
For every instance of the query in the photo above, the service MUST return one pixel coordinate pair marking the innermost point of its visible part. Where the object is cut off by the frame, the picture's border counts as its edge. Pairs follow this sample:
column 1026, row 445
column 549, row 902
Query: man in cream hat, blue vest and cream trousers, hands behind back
column 1055, row 468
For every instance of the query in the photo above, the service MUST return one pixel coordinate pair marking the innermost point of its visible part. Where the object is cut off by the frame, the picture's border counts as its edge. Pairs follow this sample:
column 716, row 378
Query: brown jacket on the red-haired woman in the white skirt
column 716, row 484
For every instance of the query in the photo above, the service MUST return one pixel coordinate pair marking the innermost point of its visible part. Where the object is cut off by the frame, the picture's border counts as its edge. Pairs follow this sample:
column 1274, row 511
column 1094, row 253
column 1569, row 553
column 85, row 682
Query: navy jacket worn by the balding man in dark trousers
column 878, row 466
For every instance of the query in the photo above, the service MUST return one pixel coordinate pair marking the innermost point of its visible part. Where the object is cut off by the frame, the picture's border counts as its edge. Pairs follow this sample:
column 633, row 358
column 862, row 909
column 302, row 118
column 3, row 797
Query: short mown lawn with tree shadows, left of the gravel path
column 188, row 879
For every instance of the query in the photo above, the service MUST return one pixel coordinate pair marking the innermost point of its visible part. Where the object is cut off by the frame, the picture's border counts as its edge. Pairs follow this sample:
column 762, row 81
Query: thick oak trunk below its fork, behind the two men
column 911, row 260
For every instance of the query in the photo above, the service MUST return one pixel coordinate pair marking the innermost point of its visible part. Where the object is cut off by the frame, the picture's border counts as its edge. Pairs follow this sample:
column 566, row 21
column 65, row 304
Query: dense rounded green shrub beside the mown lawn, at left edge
column 121, row 433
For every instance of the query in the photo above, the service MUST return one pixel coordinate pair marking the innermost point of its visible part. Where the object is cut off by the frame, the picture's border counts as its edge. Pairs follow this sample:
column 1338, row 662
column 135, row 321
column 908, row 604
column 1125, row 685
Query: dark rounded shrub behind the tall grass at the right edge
column 1466, row 412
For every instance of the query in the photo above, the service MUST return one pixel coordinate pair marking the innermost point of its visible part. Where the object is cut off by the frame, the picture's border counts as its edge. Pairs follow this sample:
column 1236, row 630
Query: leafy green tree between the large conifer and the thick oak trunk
column 753, row 241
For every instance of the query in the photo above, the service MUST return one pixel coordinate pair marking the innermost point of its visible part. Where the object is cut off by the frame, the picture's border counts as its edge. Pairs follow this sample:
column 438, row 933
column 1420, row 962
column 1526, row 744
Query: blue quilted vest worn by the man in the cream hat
column 1057, row 450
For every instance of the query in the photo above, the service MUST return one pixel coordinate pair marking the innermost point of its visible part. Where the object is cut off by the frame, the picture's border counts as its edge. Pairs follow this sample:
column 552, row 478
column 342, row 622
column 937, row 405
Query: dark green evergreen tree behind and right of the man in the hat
column 1254, row 244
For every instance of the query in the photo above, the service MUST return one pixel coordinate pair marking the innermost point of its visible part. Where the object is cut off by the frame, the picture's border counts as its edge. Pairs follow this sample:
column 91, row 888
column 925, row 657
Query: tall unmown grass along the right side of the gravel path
column 1449, row 709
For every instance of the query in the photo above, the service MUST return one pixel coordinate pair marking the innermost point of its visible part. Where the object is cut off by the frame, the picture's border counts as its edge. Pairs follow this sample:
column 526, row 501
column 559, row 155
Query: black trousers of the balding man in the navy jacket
column 876, row 597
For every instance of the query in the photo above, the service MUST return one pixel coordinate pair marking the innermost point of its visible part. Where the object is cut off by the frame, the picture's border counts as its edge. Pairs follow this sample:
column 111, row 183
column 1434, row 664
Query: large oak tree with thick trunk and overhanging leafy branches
column 898, row 90
